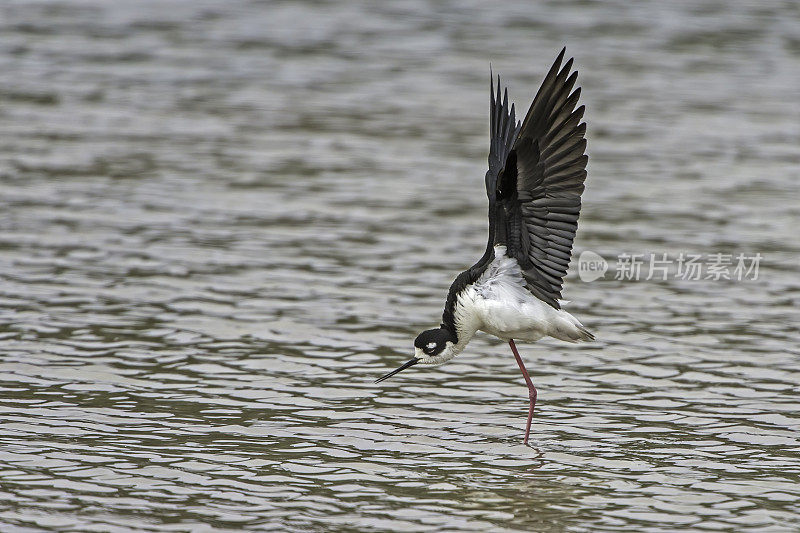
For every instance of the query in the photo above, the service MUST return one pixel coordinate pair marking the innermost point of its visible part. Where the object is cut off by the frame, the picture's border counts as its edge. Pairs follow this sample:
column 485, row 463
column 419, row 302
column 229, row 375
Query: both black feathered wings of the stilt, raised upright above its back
column 535, row 180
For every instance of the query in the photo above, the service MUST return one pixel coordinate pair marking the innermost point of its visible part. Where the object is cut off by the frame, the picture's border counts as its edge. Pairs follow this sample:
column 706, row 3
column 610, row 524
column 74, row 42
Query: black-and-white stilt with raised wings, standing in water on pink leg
column 534, row 183
